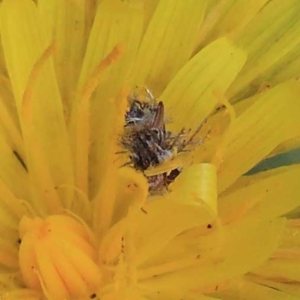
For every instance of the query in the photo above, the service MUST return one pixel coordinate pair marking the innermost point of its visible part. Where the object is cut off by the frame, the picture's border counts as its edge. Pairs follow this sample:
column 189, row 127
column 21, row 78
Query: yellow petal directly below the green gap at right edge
column 262, row 195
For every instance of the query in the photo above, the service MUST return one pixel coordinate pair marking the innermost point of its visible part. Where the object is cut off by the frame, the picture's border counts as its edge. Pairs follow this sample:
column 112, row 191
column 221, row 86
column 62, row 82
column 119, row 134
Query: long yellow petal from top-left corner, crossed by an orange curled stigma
column 21, row 20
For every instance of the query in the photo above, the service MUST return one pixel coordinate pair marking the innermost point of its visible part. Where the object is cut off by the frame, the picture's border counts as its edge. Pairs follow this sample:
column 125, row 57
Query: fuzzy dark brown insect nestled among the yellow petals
column 146, row 138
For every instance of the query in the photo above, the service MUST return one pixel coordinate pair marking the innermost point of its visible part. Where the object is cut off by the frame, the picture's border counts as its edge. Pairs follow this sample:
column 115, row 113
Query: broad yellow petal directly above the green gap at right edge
column 252, row 137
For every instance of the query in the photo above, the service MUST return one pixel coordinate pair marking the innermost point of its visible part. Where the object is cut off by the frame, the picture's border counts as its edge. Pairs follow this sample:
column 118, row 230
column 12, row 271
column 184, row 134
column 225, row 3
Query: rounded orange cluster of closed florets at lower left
column 58, row 258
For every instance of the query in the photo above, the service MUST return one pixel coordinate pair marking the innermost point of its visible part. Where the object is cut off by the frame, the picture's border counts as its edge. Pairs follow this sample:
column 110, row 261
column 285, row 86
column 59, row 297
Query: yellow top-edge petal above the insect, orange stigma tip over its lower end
column 116, row 23
